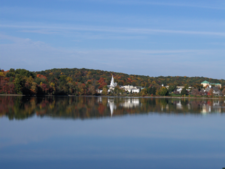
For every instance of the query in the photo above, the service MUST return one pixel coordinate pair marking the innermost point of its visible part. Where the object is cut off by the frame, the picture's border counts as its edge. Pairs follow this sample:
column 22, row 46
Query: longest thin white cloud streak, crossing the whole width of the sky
column 127, row 30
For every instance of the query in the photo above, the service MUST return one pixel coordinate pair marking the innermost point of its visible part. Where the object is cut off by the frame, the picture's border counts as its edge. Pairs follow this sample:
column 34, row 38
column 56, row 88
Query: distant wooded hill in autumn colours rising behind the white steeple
column 83, row 75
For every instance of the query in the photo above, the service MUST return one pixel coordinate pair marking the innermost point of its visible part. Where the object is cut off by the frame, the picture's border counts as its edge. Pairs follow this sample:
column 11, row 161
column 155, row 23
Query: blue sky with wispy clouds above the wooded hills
column 146, row 37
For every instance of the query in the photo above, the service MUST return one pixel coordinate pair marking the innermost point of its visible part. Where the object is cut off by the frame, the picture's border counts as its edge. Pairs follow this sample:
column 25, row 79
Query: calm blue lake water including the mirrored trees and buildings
column 102, row 132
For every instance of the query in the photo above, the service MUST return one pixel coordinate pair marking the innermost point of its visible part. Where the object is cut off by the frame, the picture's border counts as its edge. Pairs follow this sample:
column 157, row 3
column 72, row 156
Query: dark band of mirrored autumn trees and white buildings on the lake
column 97, row 107
